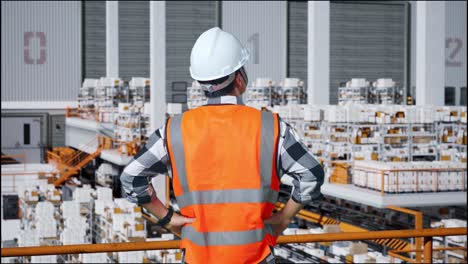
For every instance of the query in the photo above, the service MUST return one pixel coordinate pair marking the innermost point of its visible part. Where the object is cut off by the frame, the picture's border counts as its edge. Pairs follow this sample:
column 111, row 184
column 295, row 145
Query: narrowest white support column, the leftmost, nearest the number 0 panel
column 112, row 39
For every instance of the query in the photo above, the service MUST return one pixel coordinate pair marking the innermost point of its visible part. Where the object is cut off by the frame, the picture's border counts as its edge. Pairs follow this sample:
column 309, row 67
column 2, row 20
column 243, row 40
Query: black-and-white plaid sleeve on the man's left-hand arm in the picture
column 150, row 161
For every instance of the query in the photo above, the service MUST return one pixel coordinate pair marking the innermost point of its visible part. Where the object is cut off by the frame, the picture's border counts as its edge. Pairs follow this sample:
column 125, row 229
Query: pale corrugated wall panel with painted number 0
column 41, row 57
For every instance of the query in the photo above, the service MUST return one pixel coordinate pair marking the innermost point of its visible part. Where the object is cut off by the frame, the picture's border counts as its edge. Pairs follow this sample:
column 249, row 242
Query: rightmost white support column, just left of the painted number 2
column 430, row 52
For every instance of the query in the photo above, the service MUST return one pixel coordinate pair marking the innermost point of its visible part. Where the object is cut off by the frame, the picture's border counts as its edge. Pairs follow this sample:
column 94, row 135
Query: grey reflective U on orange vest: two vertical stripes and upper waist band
column 265, row 194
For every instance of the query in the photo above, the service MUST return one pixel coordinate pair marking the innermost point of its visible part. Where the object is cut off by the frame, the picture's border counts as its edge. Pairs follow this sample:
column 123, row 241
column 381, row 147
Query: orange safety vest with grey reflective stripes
column 223, row 160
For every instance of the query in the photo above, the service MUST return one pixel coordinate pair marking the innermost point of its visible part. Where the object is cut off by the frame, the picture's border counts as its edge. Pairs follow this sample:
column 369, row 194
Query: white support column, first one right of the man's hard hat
column 318, row 52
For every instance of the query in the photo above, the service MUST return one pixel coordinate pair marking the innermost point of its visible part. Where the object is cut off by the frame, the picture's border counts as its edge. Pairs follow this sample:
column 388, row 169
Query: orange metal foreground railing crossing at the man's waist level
column 427, row 234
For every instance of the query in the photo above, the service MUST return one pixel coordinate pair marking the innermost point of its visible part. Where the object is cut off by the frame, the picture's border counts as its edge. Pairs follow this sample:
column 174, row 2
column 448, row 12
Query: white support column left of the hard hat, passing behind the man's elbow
column 158, row 78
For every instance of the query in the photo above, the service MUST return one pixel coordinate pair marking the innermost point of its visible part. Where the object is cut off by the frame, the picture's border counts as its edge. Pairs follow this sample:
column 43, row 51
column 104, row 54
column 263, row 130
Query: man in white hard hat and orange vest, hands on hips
column 226, row 161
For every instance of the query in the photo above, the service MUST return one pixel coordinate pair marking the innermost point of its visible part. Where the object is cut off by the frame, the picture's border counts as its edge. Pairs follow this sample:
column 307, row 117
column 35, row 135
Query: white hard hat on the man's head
column 216, row 54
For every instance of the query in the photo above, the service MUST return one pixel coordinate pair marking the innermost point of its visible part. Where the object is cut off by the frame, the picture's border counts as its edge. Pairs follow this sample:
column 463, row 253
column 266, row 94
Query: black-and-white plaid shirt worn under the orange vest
column 296, row 165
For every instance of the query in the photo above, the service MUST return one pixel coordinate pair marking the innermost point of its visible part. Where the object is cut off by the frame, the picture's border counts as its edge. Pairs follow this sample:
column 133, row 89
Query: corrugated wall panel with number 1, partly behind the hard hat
column 261, row 26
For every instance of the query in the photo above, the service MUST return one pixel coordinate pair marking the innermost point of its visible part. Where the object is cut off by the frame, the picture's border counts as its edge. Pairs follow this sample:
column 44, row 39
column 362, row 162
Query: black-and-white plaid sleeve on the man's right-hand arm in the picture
column 298, row 166
